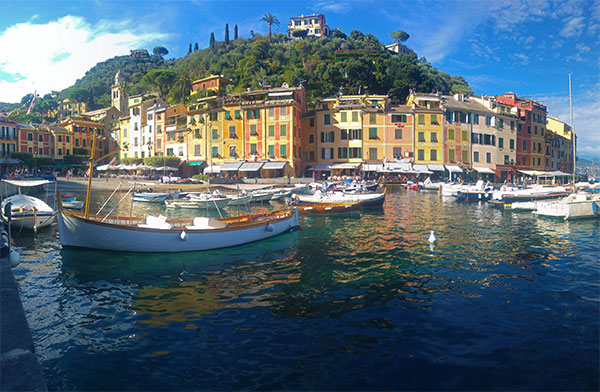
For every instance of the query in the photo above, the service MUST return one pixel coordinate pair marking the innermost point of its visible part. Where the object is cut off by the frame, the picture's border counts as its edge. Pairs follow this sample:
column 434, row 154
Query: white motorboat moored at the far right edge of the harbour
column 575, row 206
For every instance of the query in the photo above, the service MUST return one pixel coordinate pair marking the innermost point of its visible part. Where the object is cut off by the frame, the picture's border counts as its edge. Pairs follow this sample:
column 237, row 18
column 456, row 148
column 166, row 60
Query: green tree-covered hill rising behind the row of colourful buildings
column 351, row 64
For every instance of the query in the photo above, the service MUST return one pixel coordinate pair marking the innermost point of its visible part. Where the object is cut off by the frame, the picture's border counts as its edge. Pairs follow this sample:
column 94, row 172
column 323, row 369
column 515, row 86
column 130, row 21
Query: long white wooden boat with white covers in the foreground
column 157, row 234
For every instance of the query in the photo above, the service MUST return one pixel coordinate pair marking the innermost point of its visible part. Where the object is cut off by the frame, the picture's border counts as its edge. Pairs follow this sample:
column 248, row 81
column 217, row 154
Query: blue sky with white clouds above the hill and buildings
column 524, row 46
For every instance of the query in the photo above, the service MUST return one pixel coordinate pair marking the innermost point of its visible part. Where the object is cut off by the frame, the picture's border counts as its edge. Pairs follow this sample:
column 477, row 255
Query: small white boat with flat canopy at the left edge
column 27, row 211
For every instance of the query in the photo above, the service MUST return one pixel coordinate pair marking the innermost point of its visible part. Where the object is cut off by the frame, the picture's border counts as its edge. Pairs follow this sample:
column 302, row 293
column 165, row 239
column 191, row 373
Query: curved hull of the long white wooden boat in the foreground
column 76, row 231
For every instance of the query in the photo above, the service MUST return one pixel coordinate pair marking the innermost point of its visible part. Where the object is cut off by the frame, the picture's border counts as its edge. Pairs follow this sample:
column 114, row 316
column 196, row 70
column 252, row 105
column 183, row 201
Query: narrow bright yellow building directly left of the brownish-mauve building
column 428, row 128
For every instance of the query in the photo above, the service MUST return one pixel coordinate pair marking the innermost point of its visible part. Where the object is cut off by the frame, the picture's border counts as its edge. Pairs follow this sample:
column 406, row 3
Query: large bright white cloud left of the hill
column 54, row 55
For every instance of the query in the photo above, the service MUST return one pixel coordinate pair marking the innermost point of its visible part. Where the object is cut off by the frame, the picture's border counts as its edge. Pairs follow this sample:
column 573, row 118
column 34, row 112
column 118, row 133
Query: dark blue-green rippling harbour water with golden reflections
column 357, row 301
